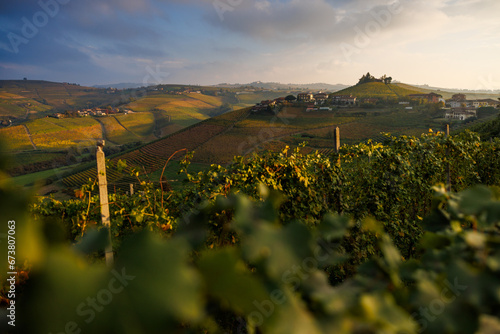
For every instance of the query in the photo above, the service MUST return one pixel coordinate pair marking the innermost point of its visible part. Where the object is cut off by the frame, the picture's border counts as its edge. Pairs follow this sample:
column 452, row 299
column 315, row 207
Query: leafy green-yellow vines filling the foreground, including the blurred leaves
column 366, row 240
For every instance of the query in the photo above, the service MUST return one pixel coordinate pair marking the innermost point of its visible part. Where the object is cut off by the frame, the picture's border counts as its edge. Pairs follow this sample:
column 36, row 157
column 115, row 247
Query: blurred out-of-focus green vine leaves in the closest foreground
column 274, row 280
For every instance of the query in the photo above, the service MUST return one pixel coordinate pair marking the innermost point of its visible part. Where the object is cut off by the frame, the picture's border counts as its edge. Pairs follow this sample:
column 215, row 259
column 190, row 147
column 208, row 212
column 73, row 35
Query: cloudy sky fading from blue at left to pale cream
column 447, row 43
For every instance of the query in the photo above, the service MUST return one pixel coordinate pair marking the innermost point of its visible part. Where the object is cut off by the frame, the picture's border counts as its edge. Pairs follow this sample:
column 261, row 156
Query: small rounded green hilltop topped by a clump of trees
column 378, row 90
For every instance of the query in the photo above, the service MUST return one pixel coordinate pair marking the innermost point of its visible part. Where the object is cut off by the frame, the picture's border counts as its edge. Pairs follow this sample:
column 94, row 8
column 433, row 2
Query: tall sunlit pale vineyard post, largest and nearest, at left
column 103, row 197
